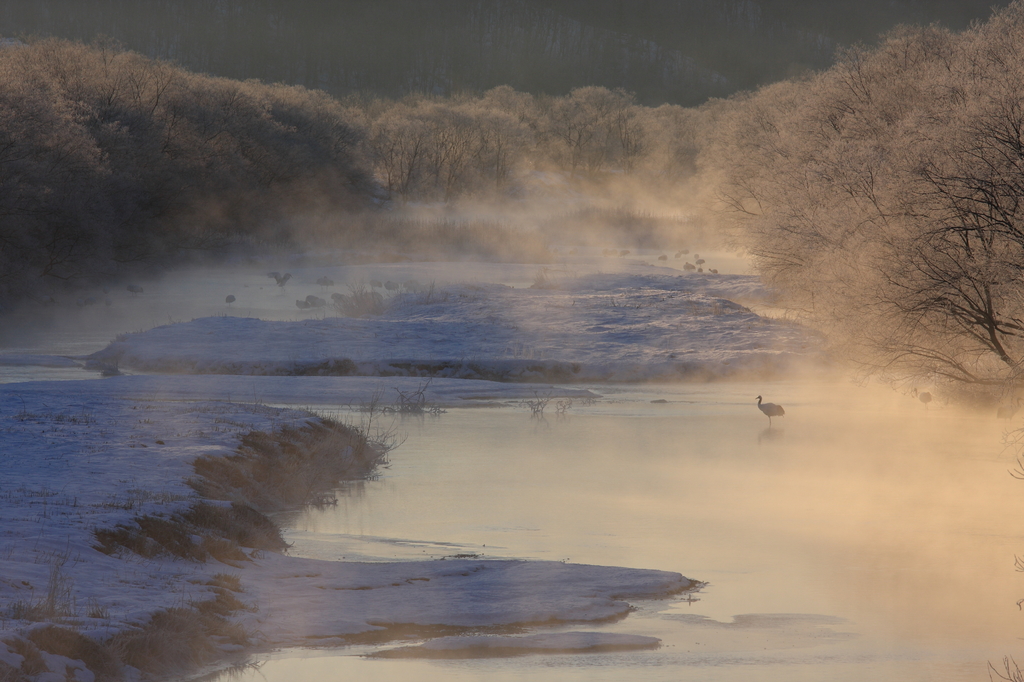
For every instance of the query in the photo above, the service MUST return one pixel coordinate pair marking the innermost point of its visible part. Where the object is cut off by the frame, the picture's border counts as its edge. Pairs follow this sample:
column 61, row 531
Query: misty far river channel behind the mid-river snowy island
column 70, row 329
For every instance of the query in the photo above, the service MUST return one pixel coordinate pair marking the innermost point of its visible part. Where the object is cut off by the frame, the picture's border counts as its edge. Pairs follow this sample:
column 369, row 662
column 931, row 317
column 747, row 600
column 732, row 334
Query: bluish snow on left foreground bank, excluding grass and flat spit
column 75, row 461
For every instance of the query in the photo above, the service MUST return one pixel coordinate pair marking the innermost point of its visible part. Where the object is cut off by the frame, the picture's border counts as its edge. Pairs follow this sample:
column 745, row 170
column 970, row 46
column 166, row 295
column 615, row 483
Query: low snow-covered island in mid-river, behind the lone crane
column 576, row 329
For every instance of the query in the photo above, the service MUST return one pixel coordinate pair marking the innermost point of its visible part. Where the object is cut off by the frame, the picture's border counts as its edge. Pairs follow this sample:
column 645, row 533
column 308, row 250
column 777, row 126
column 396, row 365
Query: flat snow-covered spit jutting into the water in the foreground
column 306, row 601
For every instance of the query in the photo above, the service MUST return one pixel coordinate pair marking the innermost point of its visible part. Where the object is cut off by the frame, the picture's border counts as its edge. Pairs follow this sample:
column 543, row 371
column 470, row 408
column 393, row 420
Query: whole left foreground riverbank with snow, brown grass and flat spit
column 134, row 521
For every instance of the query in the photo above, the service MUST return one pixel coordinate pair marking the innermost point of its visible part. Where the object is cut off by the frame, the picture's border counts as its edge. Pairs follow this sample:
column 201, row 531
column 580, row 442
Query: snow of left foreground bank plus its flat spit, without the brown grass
column 87, row 455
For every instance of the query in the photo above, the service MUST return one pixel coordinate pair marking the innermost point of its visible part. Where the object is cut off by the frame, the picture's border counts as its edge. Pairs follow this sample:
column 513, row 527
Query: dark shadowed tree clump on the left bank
column 110, row 160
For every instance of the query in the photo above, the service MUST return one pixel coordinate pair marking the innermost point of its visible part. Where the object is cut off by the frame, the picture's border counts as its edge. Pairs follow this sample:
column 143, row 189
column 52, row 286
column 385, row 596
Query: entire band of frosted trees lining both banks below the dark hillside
column 883, row 195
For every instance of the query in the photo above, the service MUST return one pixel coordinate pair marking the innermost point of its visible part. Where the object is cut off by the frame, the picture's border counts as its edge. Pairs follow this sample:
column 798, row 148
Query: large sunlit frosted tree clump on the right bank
column 885, row 196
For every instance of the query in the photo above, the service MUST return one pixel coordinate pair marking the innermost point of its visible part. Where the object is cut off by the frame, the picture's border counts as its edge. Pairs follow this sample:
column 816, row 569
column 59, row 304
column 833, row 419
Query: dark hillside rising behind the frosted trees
column 675, row 52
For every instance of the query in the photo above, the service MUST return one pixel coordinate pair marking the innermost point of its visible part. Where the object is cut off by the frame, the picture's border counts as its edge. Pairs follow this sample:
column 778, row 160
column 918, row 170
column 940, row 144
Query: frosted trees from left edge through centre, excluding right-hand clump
column 112, row 161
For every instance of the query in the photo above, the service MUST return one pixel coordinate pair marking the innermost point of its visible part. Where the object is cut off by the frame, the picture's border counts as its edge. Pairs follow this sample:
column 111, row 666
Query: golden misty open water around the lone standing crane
column 863, row 538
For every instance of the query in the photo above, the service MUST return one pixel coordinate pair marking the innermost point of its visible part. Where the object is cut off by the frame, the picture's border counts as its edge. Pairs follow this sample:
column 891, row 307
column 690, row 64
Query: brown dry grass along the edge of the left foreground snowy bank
column 287, row 468
